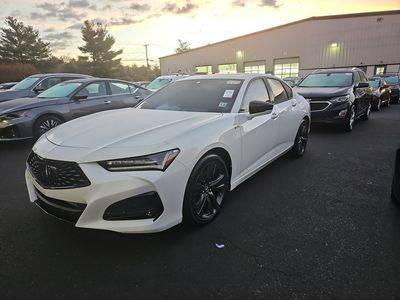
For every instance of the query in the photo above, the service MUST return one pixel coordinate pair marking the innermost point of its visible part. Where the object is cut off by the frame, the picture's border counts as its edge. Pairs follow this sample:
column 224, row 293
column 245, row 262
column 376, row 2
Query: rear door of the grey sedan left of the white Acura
column 121, row 95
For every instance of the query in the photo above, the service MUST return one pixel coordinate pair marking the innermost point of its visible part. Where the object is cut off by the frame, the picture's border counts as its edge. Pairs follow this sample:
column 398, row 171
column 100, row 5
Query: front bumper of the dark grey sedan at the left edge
column 13, row 130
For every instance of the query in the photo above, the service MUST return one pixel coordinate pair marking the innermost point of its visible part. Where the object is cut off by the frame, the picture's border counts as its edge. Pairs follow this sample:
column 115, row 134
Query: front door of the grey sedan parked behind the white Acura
column 90, row 99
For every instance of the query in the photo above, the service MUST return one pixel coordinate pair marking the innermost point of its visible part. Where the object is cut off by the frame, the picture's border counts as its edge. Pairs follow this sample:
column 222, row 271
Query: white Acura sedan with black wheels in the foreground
column 173, row 158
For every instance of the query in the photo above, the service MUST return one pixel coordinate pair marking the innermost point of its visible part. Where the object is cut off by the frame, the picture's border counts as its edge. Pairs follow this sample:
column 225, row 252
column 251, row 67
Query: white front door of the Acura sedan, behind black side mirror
column 259, row 133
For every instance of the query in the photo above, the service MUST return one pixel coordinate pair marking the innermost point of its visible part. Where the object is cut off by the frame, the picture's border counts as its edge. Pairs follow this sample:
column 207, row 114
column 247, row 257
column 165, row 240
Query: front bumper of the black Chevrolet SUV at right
column 333, row 114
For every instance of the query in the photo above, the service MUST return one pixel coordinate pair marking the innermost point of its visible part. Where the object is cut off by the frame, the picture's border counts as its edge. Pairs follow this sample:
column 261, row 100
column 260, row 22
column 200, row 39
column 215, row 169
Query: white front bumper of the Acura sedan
column 109, row 188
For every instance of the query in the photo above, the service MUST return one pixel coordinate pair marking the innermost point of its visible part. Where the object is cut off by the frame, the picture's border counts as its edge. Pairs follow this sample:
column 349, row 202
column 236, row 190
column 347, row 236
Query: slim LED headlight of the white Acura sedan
column 158, row 161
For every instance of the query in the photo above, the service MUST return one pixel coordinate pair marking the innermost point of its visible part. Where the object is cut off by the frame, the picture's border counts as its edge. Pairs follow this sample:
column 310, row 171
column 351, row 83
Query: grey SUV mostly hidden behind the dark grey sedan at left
column 33, row 85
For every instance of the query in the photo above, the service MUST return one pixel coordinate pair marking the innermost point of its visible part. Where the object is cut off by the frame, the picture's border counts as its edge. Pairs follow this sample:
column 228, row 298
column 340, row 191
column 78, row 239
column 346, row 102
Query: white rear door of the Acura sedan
column 284, row 104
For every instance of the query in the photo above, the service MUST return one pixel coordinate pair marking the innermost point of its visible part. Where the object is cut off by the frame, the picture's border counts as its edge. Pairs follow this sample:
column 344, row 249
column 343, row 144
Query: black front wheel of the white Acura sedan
column 206, row 190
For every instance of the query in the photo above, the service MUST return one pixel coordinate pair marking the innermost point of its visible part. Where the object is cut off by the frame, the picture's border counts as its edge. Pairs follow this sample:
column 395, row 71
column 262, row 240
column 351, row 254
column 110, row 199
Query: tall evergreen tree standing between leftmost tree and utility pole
column 98, row 45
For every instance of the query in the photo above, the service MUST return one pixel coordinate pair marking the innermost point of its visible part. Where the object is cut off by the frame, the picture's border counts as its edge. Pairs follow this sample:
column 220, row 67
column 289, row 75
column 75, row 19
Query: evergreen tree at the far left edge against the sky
column 21, row 44
